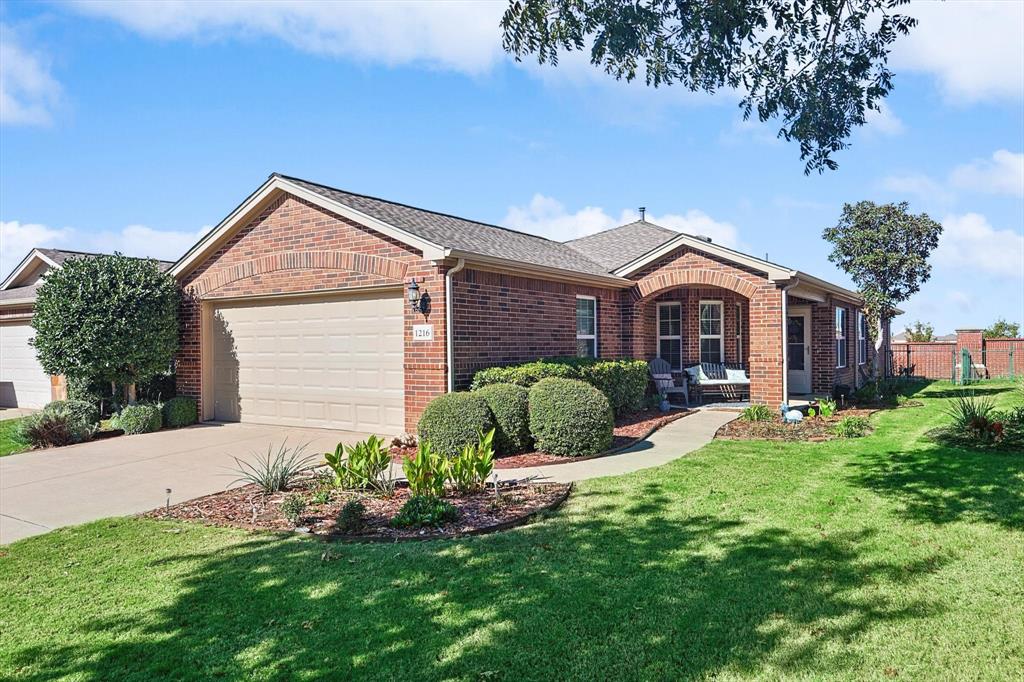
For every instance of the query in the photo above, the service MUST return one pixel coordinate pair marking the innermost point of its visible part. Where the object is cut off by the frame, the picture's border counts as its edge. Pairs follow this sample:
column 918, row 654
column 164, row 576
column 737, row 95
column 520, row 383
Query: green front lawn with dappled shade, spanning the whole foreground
column 882, row 558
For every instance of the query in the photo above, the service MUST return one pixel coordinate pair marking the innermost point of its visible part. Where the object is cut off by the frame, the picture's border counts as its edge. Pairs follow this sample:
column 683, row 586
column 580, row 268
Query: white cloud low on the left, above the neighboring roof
column 17, row 239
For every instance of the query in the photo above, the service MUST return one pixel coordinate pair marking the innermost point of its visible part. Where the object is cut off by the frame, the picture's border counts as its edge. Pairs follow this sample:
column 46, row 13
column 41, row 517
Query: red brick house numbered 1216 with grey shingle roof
column 297, row 309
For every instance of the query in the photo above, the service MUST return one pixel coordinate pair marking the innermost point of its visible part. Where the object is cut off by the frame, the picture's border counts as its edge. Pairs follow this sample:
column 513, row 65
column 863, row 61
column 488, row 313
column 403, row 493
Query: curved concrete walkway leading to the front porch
column 681, row 437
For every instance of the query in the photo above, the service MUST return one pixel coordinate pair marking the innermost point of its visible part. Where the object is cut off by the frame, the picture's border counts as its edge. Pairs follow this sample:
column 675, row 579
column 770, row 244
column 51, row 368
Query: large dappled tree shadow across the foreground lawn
column 633, row 591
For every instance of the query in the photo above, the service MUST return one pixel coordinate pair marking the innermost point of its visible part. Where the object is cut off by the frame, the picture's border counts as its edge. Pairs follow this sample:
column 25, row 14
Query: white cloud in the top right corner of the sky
column 973, row 49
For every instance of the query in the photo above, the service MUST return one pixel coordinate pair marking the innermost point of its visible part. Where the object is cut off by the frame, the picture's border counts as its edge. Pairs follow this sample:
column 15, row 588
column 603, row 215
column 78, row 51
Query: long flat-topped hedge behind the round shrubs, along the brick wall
column 623, row 382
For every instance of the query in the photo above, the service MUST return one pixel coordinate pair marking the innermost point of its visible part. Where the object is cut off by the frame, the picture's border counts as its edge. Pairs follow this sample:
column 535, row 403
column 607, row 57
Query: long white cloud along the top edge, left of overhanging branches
column 462, row 36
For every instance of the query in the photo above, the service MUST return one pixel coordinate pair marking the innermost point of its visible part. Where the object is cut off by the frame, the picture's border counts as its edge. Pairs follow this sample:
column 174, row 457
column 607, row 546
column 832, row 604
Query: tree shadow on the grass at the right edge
column 942, row 484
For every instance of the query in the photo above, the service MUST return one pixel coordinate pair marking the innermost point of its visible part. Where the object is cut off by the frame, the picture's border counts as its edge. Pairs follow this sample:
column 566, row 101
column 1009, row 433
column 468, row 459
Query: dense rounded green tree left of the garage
column 111, row 319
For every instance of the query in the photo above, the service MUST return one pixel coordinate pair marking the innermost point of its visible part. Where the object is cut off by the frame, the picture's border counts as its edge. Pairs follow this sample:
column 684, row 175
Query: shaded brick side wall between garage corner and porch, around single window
column 504, row 319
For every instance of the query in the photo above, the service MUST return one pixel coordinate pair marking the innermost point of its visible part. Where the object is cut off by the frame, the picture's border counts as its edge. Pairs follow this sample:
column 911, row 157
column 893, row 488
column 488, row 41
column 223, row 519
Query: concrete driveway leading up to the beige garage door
column 48, row 489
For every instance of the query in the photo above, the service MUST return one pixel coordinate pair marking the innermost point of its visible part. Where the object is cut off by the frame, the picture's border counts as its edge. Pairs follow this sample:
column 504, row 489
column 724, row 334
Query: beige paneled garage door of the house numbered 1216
column 331, row 364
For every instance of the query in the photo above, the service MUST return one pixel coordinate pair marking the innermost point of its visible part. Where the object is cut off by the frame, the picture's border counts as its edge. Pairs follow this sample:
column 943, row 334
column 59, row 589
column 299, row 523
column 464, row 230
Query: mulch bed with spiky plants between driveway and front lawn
column 248, row 508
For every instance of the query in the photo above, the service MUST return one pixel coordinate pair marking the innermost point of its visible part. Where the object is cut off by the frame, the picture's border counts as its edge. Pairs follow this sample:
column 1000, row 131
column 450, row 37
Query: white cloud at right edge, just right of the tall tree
column 970, row 243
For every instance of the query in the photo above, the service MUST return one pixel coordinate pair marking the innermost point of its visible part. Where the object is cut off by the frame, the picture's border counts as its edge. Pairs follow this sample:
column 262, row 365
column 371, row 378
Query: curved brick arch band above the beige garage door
column 303, row 261
